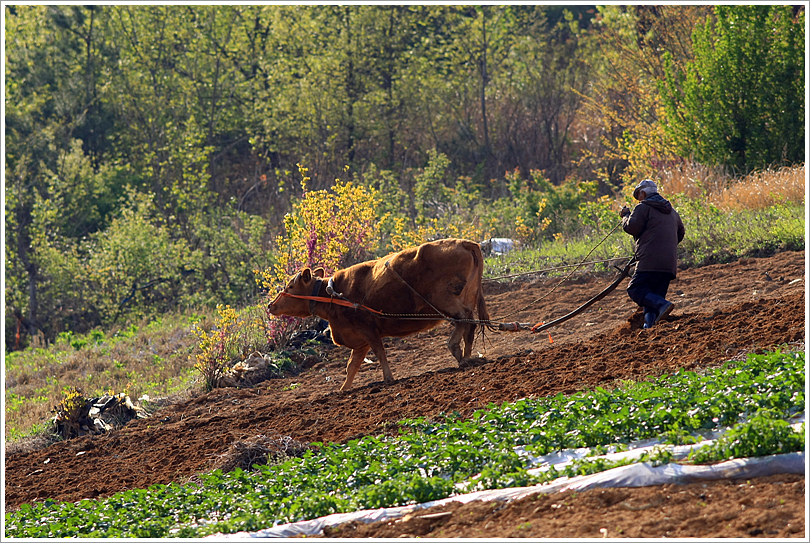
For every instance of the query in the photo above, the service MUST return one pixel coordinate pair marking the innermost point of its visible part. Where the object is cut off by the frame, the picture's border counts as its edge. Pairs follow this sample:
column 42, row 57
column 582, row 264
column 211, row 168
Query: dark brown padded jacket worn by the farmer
column 657, row 229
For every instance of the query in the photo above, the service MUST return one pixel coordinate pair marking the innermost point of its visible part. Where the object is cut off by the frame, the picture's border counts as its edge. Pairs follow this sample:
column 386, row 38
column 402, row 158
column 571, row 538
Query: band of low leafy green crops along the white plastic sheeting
column 429, row 458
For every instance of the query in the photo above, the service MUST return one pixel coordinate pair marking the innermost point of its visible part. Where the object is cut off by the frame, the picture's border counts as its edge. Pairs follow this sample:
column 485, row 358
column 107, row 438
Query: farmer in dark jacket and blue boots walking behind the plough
column 657, row 229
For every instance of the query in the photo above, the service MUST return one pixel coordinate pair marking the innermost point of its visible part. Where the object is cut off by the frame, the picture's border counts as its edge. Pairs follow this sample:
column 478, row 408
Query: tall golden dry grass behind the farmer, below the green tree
column 757, row 190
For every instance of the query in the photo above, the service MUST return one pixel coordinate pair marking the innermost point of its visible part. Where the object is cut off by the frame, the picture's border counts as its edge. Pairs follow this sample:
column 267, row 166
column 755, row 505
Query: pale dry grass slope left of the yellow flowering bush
column 151, row 358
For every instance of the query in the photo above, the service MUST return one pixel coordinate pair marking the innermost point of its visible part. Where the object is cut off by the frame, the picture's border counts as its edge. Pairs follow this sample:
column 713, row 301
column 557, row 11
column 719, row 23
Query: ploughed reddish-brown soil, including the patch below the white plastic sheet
column 722, row 313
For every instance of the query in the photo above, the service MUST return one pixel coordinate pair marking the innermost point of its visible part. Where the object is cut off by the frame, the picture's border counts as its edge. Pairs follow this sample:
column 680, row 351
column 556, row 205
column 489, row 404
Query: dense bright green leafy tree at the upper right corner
column 740, row 101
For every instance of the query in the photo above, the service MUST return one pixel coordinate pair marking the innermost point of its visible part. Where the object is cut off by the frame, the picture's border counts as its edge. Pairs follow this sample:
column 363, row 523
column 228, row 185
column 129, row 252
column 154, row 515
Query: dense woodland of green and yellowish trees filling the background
column 152, row 151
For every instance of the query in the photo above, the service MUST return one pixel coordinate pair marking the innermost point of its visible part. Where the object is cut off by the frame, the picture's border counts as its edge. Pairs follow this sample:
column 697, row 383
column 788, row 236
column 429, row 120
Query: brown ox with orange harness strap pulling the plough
column 395, row 296
